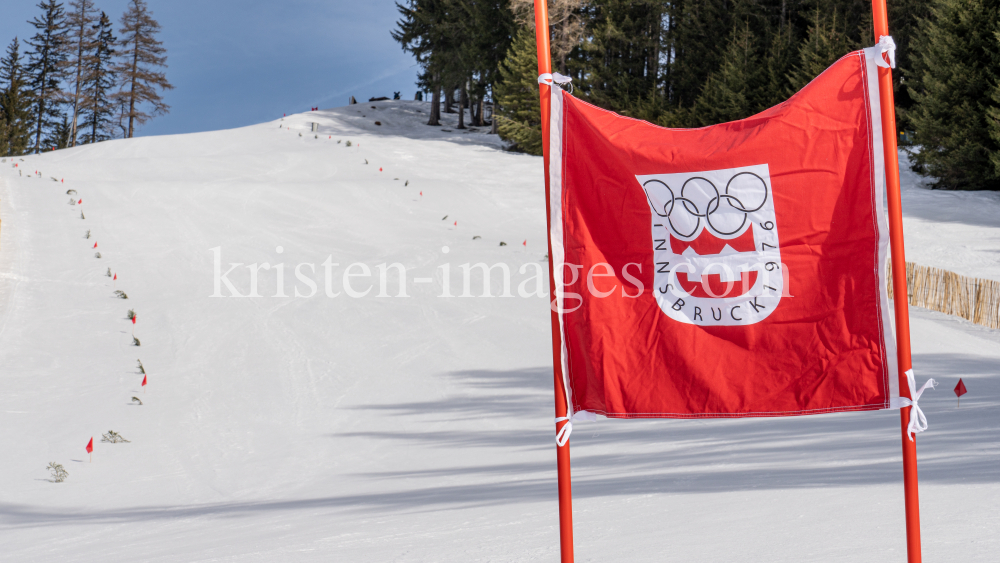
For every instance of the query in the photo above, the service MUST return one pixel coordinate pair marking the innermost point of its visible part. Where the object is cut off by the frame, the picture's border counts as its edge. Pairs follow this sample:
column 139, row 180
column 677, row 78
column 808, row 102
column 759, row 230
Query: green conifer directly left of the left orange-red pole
column 519, row 117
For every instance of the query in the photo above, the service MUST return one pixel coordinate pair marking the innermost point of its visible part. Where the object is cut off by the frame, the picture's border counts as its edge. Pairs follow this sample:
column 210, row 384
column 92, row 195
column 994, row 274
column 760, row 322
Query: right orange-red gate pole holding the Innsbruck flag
column 899, row 292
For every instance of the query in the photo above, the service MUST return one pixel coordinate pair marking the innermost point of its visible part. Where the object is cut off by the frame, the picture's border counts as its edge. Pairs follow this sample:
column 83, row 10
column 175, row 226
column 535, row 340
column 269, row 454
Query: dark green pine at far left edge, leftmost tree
column 15, row 104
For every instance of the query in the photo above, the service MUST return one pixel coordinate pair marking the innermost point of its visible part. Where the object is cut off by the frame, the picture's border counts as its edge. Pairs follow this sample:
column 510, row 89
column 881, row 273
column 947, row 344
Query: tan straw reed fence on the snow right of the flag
column 974, row 299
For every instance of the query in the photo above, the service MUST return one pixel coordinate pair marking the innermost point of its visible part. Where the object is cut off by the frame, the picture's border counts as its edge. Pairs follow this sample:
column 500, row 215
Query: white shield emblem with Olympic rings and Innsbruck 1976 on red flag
column 715, row 245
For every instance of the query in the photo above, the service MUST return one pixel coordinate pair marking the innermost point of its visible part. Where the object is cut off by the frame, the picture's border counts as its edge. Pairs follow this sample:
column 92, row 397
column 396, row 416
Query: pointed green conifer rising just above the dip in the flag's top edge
column 736, row 90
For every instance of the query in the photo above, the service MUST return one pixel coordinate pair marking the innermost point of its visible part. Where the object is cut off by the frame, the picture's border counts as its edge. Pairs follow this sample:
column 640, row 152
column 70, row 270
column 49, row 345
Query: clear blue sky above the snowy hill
column 238, row 62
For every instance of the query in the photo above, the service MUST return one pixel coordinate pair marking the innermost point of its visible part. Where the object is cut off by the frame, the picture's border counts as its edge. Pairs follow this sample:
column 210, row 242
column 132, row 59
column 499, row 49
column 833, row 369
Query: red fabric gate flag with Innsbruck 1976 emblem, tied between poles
column 726, row 271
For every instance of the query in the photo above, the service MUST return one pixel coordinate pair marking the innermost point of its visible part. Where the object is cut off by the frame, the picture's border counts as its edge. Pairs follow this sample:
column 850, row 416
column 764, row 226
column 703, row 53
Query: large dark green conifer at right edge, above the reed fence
column 956, row 61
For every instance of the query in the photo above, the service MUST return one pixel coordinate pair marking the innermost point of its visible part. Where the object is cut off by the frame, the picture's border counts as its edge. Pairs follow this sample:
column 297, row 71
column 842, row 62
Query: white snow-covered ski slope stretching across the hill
column 406, row 429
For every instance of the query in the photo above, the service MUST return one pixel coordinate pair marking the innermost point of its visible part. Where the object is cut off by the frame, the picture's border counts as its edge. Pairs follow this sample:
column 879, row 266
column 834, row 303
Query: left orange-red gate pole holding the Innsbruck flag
column 562, row 452
